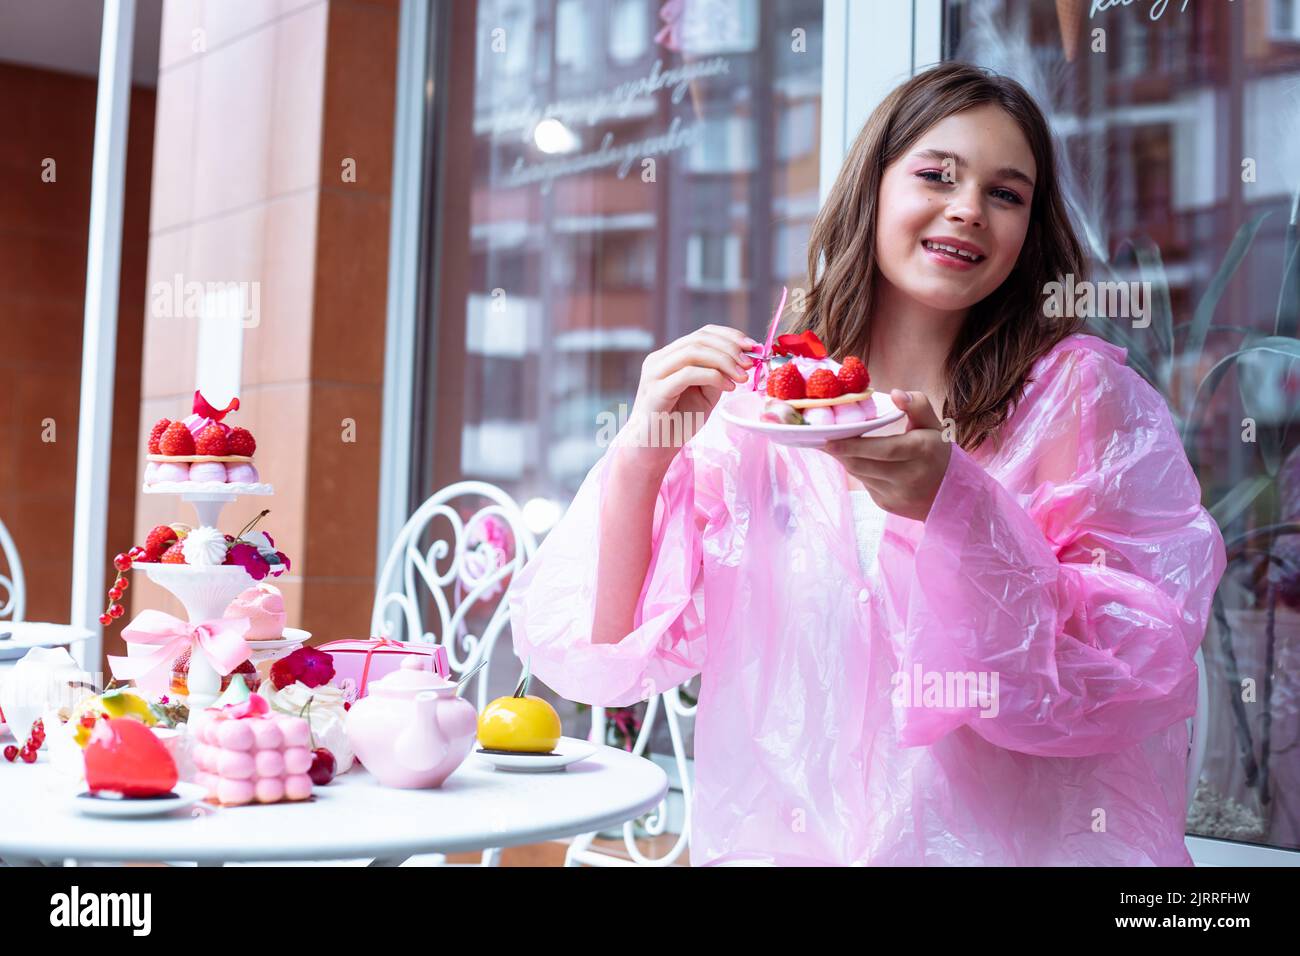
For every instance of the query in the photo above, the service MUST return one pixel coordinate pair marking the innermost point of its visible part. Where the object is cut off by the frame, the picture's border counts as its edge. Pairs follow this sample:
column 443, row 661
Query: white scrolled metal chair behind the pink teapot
column 410, row 582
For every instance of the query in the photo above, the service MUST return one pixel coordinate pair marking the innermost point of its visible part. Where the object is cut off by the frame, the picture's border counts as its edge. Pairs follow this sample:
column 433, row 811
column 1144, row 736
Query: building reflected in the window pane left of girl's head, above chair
column 601, row 271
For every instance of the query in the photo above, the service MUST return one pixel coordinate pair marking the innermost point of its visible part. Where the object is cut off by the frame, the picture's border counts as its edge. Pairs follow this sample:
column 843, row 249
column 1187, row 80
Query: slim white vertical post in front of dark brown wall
column 99, row 343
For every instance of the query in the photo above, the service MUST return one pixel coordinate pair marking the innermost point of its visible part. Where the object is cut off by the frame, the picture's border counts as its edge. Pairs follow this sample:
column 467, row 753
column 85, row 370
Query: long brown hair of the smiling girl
column 1006, row 332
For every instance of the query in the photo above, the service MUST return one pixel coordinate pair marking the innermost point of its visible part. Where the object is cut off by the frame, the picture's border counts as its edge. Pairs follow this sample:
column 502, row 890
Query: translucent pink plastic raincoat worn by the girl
column 1077, row 565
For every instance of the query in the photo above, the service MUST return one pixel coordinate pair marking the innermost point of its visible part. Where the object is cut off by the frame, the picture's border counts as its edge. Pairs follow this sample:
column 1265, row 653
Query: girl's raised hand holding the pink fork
column 690, row 375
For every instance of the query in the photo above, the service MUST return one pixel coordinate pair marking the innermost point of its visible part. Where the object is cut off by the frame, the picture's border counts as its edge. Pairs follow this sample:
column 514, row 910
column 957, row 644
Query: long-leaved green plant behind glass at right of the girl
column 1251, row 650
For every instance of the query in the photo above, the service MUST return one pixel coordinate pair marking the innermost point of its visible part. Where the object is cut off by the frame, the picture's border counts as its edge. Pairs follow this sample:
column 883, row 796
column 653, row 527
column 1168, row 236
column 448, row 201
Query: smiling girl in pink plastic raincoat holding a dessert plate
column 972, row 643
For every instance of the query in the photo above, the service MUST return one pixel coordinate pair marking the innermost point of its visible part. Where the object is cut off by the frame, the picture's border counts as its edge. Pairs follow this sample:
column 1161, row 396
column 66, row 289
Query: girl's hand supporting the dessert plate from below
column 903, row 473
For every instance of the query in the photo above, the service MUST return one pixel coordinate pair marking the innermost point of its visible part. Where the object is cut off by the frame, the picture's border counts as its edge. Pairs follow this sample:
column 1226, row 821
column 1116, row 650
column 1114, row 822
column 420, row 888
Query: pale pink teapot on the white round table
column 411, row 730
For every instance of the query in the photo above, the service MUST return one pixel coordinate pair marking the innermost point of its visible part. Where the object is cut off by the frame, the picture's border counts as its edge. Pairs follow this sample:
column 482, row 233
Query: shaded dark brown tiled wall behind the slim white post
column 44, row 230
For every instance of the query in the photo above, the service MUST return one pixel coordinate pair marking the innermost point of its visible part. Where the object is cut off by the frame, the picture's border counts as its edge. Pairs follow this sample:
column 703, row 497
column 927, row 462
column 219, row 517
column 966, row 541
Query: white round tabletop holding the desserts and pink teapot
column 353, row 817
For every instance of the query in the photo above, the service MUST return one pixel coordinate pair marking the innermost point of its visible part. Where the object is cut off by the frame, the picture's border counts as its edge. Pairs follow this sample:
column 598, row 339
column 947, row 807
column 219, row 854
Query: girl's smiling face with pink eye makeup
column 967, row 183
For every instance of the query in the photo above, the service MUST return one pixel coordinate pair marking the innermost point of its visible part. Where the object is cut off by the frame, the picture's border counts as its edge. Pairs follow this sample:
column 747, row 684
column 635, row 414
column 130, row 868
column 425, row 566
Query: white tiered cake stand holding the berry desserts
column 206, row 592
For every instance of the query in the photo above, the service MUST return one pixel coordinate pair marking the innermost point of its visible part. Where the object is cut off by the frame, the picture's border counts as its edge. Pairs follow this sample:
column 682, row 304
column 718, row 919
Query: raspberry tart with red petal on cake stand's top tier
column 201, row 448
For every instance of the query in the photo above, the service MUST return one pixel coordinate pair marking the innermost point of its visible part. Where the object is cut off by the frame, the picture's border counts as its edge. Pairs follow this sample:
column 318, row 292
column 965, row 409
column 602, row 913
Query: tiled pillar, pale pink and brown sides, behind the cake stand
column 253, row 133
